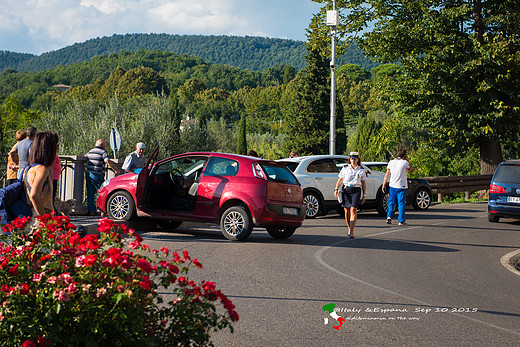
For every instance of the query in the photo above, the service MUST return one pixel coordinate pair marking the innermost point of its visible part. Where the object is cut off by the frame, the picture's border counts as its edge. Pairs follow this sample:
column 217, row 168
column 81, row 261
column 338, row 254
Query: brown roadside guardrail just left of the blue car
column 442, row 185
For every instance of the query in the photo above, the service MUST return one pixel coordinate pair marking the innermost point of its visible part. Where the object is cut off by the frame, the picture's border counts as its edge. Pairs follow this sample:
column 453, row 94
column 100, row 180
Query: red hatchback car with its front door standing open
column 237, row 192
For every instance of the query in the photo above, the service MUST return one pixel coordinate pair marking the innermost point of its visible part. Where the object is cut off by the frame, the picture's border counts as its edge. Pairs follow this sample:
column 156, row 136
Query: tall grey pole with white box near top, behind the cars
column 332, row 21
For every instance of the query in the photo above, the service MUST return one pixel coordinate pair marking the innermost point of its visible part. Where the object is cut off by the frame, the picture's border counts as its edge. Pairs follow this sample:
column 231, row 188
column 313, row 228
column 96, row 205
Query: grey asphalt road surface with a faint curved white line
column 437, row 282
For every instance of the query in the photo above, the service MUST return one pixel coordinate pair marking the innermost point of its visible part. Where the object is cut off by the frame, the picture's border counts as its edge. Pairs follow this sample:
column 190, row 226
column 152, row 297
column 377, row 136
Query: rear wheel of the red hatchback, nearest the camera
column 236, row 224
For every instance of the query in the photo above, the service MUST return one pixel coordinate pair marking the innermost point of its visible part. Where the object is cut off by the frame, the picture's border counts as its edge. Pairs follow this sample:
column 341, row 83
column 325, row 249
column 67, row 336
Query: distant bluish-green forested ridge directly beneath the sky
column 249, row 53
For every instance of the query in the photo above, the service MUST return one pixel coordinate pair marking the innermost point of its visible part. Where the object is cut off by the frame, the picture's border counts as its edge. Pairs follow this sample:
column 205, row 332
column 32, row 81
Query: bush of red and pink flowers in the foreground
column 61, row 289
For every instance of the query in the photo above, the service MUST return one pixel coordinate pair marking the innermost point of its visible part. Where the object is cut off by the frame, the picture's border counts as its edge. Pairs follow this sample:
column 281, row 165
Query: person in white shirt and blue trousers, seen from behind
column 397, row 172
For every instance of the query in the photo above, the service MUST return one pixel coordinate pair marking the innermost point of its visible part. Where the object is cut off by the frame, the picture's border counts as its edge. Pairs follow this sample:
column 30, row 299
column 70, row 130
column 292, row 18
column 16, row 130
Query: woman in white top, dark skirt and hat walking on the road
column 352, row 181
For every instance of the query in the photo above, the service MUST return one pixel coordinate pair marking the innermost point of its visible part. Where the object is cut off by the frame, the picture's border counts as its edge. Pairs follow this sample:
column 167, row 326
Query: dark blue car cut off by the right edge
column 504, row 191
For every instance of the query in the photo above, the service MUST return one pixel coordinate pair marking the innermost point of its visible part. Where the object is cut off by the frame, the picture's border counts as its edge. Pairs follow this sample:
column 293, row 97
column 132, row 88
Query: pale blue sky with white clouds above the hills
column 38, row 26
